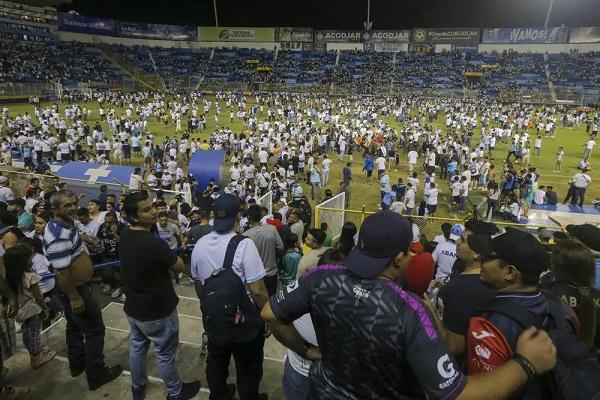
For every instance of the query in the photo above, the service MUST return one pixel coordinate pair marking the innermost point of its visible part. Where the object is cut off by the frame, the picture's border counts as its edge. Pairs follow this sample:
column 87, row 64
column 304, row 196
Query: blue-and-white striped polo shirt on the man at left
column 62, row 244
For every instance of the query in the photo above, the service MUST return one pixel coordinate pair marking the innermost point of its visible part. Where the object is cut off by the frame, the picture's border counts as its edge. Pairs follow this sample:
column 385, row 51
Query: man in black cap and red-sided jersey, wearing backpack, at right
column 512, row 262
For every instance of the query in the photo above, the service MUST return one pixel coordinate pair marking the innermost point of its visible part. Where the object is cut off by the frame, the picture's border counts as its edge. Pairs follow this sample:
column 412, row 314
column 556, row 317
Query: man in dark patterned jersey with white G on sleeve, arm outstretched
column 377, row 341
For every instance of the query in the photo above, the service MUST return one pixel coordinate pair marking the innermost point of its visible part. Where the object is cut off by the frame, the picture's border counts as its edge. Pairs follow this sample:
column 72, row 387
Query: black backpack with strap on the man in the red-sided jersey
column 576, row 375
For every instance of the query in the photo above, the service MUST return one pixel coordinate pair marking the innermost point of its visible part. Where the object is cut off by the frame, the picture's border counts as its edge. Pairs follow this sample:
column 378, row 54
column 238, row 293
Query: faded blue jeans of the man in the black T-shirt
column 164, row 335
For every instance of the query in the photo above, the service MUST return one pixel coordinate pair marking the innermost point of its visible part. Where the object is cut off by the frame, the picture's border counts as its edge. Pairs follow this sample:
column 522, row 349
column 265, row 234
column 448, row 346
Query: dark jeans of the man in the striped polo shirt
column 84, row 334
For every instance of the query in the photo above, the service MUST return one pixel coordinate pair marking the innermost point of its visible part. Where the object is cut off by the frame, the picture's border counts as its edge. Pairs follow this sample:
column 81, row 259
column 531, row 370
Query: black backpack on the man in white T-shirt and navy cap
column 228, row 314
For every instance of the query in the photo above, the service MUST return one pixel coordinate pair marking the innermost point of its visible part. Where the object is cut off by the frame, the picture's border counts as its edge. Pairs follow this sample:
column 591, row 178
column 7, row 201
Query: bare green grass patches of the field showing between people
column 572, row 140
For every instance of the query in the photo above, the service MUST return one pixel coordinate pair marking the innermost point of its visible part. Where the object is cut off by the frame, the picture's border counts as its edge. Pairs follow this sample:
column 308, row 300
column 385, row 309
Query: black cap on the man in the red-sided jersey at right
column 515, row 247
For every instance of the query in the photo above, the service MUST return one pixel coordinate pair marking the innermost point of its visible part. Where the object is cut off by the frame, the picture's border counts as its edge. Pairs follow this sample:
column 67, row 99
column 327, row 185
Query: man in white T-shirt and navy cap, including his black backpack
column 229, row 279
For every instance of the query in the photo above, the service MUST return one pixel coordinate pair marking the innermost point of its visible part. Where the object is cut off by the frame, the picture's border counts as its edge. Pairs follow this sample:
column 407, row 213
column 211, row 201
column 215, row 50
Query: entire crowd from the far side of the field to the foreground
column 259, row 272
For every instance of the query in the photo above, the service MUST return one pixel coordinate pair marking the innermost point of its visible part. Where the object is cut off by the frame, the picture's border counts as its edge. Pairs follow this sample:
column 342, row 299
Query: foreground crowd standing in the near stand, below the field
column 445, row 305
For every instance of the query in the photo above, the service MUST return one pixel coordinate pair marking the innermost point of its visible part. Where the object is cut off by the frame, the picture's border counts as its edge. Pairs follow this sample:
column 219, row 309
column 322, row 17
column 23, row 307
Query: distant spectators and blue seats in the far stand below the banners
column 524, row 73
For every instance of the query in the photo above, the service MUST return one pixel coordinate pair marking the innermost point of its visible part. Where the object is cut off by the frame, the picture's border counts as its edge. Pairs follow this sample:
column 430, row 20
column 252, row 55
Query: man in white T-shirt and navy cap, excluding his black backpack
column 209, row 256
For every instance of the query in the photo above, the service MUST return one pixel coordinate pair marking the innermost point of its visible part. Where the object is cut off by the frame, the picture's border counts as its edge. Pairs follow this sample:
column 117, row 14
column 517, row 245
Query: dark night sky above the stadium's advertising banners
column 348, row 14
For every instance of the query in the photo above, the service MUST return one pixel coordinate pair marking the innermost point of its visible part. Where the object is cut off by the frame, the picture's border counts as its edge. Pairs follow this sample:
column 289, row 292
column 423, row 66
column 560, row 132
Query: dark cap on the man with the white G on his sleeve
column 382, row 237
